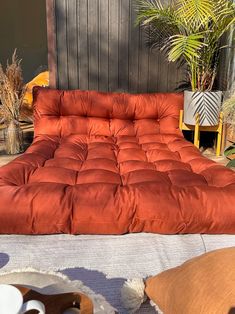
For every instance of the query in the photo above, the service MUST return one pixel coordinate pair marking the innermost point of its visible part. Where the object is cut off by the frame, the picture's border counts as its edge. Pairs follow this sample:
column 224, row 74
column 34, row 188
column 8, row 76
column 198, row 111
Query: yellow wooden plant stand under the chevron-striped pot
column 197, row 129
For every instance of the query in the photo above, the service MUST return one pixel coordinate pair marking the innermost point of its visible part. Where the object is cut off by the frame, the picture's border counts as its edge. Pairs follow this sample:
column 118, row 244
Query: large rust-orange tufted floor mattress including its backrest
column 109, row 163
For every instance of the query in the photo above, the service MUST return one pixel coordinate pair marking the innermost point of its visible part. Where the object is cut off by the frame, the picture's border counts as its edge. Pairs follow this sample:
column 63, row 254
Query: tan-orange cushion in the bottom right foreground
column 202, row 285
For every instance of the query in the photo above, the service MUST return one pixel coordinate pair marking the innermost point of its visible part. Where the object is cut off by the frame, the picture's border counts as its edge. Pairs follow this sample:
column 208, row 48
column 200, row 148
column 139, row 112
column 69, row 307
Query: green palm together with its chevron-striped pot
column 190, row 31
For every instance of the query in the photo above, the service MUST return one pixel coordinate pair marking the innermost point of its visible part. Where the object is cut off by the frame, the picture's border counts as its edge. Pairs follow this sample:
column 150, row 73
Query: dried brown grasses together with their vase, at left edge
column 11, row 97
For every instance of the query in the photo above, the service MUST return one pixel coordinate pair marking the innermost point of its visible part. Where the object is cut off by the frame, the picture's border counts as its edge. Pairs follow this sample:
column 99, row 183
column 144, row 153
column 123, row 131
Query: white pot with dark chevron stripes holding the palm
column 207, row 104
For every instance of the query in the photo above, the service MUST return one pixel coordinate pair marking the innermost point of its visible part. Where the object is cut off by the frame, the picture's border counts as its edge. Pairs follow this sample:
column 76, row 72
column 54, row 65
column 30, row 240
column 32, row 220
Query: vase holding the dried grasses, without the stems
column 13, row 136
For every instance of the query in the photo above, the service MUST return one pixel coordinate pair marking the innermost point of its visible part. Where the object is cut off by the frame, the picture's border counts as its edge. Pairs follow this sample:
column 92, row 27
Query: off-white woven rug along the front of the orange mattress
column 104, row 262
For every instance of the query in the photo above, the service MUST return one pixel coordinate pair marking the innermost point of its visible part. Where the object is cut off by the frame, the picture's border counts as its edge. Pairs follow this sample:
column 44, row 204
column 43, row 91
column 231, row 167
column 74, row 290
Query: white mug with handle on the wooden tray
column 11, row 301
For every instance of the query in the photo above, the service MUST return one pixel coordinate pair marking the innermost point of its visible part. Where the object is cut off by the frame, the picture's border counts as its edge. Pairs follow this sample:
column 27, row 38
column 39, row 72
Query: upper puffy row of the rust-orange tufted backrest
column 111, row 106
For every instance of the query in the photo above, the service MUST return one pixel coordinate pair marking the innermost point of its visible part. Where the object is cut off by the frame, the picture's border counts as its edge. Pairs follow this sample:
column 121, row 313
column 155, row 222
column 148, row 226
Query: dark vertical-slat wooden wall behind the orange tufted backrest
column 99, row 47
